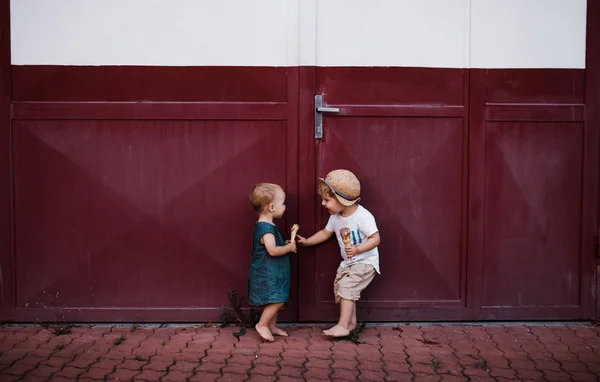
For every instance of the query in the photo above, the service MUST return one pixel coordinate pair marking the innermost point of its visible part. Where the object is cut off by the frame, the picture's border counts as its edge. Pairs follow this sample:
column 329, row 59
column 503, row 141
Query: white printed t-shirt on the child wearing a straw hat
column 362, row 225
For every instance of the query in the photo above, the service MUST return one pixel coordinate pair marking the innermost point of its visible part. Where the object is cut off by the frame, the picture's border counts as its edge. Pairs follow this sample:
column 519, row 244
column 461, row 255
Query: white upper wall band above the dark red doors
column 423, row 33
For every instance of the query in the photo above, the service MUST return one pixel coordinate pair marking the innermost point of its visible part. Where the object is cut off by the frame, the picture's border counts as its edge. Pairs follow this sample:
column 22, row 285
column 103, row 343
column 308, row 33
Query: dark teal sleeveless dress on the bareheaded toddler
column 269, row 280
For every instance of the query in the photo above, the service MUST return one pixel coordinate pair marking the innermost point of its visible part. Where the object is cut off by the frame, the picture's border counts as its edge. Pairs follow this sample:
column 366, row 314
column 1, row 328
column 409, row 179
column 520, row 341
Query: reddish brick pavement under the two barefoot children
column 389, row 353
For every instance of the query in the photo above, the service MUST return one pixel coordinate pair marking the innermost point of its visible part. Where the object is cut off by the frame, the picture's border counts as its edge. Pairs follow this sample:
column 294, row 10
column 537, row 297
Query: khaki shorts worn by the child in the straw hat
column 352, row 280
